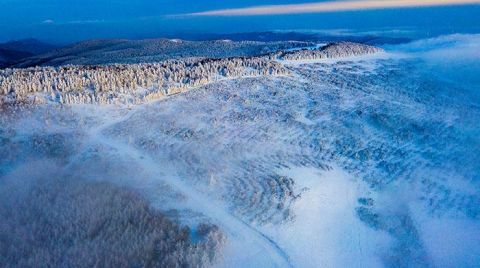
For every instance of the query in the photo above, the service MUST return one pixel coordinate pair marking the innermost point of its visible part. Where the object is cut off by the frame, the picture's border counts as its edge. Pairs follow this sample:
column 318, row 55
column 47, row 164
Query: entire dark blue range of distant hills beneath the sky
column 31, row 52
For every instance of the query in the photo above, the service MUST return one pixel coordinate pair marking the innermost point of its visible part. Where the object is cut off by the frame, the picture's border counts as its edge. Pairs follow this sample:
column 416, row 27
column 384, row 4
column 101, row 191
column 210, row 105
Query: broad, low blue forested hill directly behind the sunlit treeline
column 116, row 51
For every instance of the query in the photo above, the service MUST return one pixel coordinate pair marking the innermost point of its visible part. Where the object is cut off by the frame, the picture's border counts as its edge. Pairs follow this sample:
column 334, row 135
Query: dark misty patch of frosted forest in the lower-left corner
column 78, row 223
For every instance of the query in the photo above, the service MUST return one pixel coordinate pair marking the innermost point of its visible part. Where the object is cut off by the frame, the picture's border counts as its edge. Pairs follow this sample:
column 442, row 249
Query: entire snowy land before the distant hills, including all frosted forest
column 338, row 155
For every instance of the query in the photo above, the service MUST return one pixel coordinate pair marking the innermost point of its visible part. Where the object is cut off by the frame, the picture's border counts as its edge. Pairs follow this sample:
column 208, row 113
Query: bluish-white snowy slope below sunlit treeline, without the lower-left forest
column 361, row 162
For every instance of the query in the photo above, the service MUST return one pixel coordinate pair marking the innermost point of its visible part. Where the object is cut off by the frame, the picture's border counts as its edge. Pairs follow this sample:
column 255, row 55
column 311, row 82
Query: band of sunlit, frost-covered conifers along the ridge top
column 140, row 83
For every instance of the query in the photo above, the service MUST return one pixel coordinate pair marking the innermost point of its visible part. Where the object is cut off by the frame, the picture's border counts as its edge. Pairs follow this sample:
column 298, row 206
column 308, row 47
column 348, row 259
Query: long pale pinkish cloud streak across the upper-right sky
column 331, row 6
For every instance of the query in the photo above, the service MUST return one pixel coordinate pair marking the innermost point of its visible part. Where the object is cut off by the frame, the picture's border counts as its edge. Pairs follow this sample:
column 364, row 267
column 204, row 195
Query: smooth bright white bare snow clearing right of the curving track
column 326, row 231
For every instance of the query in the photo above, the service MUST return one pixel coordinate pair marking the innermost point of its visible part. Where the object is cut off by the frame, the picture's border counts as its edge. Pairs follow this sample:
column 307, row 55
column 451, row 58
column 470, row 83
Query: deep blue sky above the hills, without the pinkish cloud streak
column 73, row 20
